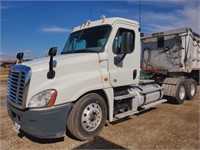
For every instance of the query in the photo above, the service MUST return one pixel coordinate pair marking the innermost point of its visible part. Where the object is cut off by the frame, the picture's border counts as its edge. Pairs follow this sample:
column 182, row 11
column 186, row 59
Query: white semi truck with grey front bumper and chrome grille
column 95, row 79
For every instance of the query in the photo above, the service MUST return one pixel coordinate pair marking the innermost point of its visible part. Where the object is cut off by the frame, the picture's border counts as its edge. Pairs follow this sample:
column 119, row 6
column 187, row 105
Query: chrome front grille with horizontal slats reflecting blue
column 18, row 81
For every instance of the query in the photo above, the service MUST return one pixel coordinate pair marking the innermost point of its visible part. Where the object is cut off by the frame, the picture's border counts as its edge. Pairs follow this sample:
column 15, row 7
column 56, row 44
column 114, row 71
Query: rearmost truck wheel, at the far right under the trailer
column 191, row 88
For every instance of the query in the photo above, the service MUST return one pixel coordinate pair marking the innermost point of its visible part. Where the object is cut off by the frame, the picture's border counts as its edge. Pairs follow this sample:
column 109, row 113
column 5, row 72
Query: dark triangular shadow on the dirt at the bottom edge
column 99, row 143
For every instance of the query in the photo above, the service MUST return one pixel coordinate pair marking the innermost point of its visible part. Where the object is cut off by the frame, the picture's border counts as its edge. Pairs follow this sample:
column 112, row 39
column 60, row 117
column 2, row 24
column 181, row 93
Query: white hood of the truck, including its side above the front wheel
column 75, row 74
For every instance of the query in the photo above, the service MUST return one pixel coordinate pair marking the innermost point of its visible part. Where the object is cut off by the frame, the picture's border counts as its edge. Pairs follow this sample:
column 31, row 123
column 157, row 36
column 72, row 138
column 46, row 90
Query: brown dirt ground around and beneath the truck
column 167, row 126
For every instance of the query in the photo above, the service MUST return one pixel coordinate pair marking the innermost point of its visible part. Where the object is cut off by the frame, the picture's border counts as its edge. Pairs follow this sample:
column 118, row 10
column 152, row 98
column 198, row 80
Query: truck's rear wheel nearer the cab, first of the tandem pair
column 180, row 92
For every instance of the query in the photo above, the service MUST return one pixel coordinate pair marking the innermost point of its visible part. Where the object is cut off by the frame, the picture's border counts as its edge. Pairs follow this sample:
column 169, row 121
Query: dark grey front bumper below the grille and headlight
column 42, row 123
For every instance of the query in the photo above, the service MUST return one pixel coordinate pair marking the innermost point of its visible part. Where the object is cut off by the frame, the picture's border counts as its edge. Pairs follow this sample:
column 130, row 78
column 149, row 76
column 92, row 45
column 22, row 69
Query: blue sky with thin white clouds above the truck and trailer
column 33, row 27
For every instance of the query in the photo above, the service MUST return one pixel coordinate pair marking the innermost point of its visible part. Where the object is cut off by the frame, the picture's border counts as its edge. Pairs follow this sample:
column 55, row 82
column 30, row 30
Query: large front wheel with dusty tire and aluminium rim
column 87, row 117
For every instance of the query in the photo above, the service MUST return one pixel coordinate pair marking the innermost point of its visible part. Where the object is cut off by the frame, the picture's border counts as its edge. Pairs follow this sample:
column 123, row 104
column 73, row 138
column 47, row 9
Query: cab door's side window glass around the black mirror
column 118, row 40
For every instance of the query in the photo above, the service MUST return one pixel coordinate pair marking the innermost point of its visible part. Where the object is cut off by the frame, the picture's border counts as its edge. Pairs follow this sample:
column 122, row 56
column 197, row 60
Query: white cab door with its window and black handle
column 124, row 68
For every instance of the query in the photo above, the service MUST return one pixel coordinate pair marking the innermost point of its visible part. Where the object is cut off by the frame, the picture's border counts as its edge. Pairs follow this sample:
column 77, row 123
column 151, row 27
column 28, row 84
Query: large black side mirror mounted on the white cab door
column 127, row 42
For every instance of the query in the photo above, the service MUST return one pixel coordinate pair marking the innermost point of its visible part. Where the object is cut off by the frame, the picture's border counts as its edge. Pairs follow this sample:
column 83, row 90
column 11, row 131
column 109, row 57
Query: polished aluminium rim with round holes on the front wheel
column 91, row 117
